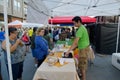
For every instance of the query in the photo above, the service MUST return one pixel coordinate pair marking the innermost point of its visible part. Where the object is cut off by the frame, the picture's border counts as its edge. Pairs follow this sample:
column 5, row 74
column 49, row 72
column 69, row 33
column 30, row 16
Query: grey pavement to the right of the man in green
column 103, row 69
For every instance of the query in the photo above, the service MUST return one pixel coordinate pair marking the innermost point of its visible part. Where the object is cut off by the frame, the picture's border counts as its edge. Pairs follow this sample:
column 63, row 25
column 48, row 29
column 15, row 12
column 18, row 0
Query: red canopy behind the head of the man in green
column 62, row 20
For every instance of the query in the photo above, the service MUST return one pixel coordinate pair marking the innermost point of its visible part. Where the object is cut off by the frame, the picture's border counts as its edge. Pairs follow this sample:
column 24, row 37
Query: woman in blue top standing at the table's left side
column 41, row 46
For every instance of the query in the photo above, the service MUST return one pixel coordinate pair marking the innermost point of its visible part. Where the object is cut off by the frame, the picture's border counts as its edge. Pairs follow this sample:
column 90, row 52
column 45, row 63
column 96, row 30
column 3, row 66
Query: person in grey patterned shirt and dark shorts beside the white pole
column 17, row 53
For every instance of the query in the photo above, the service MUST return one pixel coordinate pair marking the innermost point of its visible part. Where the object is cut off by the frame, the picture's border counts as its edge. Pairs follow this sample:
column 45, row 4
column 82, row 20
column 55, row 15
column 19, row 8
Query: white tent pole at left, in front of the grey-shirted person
column 7, row 41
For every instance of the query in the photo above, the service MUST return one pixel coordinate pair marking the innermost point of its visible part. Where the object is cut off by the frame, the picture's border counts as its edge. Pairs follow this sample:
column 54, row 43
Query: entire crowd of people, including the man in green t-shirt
column 41, row 41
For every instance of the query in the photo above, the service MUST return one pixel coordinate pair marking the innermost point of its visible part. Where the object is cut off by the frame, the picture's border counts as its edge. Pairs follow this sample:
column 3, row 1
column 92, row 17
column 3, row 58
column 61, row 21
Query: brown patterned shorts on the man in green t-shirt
column 83, row 59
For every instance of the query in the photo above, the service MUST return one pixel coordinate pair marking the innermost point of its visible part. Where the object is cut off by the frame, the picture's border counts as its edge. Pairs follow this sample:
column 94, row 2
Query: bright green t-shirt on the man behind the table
column 84, row 38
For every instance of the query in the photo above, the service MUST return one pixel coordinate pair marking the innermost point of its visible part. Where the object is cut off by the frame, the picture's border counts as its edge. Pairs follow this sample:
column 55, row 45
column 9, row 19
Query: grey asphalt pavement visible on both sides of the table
column 102, row 69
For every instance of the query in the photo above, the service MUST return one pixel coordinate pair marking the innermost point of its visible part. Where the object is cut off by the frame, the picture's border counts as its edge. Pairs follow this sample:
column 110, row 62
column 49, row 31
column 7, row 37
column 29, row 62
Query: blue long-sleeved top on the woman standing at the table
column 41, row 47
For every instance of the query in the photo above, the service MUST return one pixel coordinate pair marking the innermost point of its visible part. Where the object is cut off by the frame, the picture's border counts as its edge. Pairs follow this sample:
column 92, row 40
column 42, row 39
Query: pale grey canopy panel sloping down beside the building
column 37, row 12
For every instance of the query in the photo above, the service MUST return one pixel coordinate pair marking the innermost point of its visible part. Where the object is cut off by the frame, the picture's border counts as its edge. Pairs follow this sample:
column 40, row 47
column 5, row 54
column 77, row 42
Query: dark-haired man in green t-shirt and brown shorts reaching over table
column 82, row 41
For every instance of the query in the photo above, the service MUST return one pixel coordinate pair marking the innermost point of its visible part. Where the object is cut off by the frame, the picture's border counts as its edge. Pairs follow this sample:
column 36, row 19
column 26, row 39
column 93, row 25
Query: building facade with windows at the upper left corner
column 15, row 10
